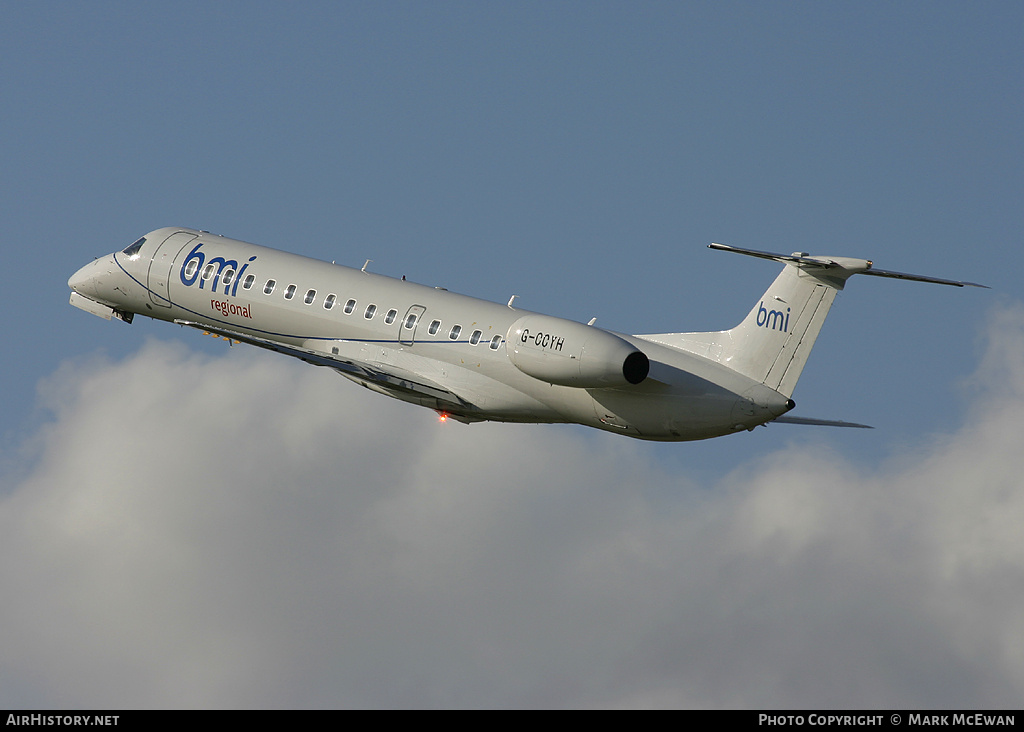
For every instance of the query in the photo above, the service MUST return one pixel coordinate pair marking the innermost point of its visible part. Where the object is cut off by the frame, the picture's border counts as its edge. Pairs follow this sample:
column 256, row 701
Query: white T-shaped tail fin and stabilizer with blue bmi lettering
column 773, row 343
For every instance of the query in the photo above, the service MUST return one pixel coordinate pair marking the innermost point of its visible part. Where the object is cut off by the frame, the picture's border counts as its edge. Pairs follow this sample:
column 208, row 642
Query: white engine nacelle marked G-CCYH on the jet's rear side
column 573, row 355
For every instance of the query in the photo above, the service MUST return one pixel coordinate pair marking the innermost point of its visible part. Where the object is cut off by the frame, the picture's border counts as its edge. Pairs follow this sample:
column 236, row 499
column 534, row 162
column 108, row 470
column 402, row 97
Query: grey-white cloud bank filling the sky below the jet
column 244, row 532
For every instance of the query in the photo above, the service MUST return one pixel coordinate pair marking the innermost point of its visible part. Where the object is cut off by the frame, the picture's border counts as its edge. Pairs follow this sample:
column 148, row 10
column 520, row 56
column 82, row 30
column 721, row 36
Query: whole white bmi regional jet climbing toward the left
column 472, row 360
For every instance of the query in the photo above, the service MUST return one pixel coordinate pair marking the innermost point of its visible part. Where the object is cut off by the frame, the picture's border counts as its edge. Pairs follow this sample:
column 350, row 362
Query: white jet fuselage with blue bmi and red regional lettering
column 437, row 339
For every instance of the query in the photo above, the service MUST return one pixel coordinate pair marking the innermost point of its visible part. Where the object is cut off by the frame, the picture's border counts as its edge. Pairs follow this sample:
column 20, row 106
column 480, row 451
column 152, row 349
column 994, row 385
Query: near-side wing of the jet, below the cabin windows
column 391, row 379
